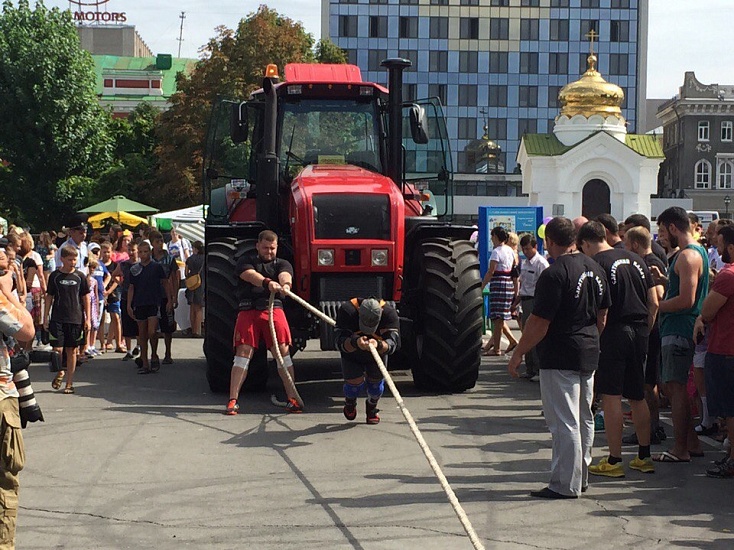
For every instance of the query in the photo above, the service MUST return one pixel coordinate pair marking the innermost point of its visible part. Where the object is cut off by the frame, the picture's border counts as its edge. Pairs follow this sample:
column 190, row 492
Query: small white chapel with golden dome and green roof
column 590, row 165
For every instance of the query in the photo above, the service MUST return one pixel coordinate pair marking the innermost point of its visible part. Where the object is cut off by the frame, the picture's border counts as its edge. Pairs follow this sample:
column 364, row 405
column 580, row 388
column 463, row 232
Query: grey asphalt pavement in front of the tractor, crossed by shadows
column 150, row 461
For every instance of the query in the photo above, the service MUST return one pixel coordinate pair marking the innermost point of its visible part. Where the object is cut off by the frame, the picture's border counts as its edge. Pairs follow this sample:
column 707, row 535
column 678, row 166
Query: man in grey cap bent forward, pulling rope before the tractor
column 359, row 323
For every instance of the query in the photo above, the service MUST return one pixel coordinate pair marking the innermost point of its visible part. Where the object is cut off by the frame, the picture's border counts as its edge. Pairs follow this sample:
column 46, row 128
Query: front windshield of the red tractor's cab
column 339, row 131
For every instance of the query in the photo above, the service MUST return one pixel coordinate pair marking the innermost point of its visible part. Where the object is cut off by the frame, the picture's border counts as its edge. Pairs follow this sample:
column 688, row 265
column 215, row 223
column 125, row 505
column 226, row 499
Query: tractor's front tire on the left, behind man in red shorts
column 221, row 314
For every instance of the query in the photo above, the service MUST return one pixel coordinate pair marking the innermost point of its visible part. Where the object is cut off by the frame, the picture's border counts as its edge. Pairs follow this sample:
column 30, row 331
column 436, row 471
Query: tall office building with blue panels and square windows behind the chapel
column 498, row 63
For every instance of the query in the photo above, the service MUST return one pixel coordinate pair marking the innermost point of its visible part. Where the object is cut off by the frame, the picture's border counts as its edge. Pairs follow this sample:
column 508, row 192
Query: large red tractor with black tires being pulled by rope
column 358, row 187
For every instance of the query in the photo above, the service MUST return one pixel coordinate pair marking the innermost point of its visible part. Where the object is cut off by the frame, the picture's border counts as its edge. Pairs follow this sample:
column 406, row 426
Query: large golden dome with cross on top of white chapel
column 591, row 95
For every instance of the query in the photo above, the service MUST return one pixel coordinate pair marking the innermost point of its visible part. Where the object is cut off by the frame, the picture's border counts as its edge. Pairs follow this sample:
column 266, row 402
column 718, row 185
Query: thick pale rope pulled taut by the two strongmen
column 458, row 509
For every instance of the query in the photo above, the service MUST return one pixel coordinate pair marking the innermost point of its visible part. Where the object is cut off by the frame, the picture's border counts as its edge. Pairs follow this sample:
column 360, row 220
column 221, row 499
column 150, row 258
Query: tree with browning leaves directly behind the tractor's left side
column 233, row 66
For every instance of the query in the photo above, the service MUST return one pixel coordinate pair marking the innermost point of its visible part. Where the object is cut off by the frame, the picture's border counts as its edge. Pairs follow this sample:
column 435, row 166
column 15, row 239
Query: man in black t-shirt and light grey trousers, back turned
column 571, row 302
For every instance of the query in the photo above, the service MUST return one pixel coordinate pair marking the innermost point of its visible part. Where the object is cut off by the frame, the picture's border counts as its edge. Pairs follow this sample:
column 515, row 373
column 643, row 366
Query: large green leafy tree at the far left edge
column 53, row 132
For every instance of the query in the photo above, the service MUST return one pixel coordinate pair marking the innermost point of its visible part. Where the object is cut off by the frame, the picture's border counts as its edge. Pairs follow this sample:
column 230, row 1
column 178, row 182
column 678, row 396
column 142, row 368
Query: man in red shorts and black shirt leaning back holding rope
column 260, row 274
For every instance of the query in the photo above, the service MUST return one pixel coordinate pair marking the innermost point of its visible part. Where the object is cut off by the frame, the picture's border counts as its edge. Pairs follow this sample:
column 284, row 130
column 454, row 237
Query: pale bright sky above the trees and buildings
column 684, row 35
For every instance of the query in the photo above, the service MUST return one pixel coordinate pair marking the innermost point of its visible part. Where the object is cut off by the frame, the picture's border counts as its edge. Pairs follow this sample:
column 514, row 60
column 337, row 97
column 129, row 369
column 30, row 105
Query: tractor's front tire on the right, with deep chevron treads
column 444, row 350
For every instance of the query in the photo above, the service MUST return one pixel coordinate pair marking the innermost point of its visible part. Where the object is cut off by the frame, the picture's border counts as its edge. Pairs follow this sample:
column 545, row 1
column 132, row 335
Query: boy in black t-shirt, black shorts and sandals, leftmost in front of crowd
column 68, row 292
